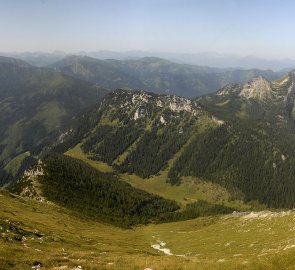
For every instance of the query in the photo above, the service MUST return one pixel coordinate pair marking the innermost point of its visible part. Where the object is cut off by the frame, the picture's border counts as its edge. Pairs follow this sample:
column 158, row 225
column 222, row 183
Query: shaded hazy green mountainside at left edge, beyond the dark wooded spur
column 35, row 103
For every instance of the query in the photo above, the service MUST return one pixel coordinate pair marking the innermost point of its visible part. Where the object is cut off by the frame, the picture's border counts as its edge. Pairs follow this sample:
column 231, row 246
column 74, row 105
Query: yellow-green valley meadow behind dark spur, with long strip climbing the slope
column 191, row 189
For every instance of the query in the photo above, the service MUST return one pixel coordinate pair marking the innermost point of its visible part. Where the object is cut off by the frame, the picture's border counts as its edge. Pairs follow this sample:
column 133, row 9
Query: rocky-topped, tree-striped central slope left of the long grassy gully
column 138, row 131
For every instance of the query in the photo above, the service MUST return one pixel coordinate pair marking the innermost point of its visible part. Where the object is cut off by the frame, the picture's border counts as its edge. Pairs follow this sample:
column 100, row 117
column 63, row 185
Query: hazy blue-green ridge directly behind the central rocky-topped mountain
column 156, row 75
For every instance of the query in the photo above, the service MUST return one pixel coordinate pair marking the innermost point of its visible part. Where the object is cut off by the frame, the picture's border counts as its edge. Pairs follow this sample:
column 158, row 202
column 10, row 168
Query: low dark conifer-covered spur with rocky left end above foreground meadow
column 88, row 192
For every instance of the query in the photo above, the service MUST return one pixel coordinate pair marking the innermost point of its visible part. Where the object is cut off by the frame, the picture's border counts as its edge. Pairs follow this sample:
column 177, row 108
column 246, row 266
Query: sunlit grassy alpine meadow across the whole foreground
column 38, row 235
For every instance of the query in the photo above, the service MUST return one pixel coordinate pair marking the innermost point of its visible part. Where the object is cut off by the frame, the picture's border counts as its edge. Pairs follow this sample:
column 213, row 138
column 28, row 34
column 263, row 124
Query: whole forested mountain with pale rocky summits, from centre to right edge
column 242, row 137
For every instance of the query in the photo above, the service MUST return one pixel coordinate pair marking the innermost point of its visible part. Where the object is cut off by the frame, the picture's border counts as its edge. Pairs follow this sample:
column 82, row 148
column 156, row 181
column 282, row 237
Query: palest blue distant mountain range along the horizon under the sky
column 210, row 59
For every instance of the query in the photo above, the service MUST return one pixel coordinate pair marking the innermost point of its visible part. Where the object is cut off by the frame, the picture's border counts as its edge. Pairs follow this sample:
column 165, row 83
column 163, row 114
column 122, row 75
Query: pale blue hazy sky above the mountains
column 262, row 28
